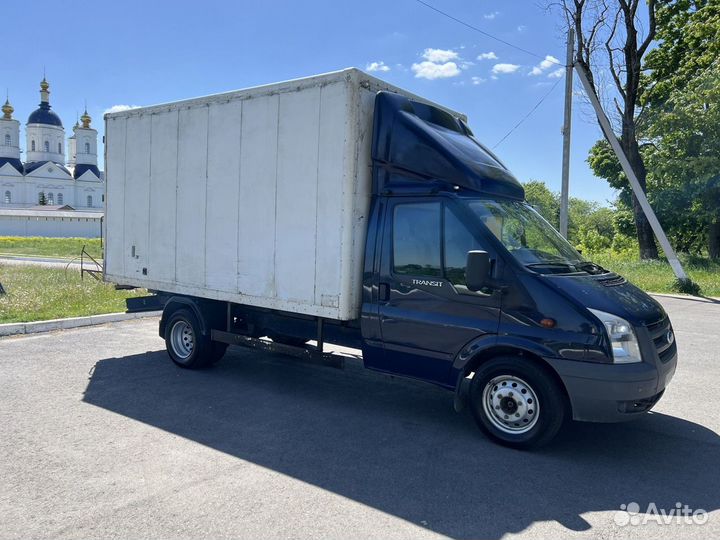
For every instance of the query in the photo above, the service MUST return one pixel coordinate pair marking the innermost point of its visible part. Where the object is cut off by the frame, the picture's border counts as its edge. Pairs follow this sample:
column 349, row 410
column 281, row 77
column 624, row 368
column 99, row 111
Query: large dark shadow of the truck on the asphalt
column 399, row 447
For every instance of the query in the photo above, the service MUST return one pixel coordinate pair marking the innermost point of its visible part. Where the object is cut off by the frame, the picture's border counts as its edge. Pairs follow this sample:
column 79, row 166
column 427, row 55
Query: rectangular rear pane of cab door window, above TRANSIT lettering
column 416, row 239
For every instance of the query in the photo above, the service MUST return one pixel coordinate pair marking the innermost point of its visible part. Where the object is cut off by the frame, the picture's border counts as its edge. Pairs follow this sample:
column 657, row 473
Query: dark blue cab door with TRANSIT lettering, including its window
column 426, row 313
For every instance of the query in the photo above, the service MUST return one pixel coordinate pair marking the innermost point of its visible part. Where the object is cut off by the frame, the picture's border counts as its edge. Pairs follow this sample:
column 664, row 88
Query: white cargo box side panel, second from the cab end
column 295, row 232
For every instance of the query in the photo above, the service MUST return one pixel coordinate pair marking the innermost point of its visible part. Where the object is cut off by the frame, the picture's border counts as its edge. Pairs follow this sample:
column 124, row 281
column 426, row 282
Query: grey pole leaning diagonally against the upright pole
column 628, row 170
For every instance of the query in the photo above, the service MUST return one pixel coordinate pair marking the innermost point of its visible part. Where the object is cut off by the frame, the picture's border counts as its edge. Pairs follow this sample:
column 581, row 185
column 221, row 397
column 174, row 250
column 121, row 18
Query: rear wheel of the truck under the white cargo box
column 186, row 345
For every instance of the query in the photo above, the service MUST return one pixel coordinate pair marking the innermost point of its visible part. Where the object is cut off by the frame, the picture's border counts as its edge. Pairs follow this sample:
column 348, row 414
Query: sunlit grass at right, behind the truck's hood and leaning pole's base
column 657, row 276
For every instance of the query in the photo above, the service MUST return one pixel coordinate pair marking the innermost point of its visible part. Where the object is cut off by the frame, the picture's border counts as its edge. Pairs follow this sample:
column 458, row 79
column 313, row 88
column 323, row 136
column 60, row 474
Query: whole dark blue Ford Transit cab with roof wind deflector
column 463, row 277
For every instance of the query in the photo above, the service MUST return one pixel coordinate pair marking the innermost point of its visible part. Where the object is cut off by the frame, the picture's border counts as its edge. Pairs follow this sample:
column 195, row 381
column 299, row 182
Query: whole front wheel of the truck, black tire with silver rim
column 517, row 403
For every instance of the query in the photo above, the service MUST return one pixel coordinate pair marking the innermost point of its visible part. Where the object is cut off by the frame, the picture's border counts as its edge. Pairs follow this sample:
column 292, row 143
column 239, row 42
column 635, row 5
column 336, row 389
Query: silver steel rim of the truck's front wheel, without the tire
column 510, row 404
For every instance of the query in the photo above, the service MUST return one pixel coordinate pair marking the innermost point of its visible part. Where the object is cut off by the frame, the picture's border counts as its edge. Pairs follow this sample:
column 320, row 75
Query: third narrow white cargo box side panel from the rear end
column 163, row 184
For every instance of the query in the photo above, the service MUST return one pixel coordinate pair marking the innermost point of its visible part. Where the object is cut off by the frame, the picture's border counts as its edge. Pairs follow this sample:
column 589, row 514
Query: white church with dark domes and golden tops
column 55, row 172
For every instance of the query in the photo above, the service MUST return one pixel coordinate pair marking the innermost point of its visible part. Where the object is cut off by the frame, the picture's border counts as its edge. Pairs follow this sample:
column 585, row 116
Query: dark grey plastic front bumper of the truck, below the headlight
column 614, row 392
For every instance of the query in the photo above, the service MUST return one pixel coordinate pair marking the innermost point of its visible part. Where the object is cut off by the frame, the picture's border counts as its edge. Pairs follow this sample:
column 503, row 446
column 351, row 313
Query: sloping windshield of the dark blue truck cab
column 527, row 236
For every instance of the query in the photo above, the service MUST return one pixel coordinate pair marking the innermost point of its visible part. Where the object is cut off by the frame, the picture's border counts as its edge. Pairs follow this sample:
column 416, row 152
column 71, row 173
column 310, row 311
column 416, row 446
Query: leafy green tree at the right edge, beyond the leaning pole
column 683, row 119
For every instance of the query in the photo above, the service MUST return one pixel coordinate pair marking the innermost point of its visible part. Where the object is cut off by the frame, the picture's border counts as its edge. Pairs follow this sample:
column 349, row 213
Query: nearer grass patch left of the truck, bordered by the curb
column 35, row 293
